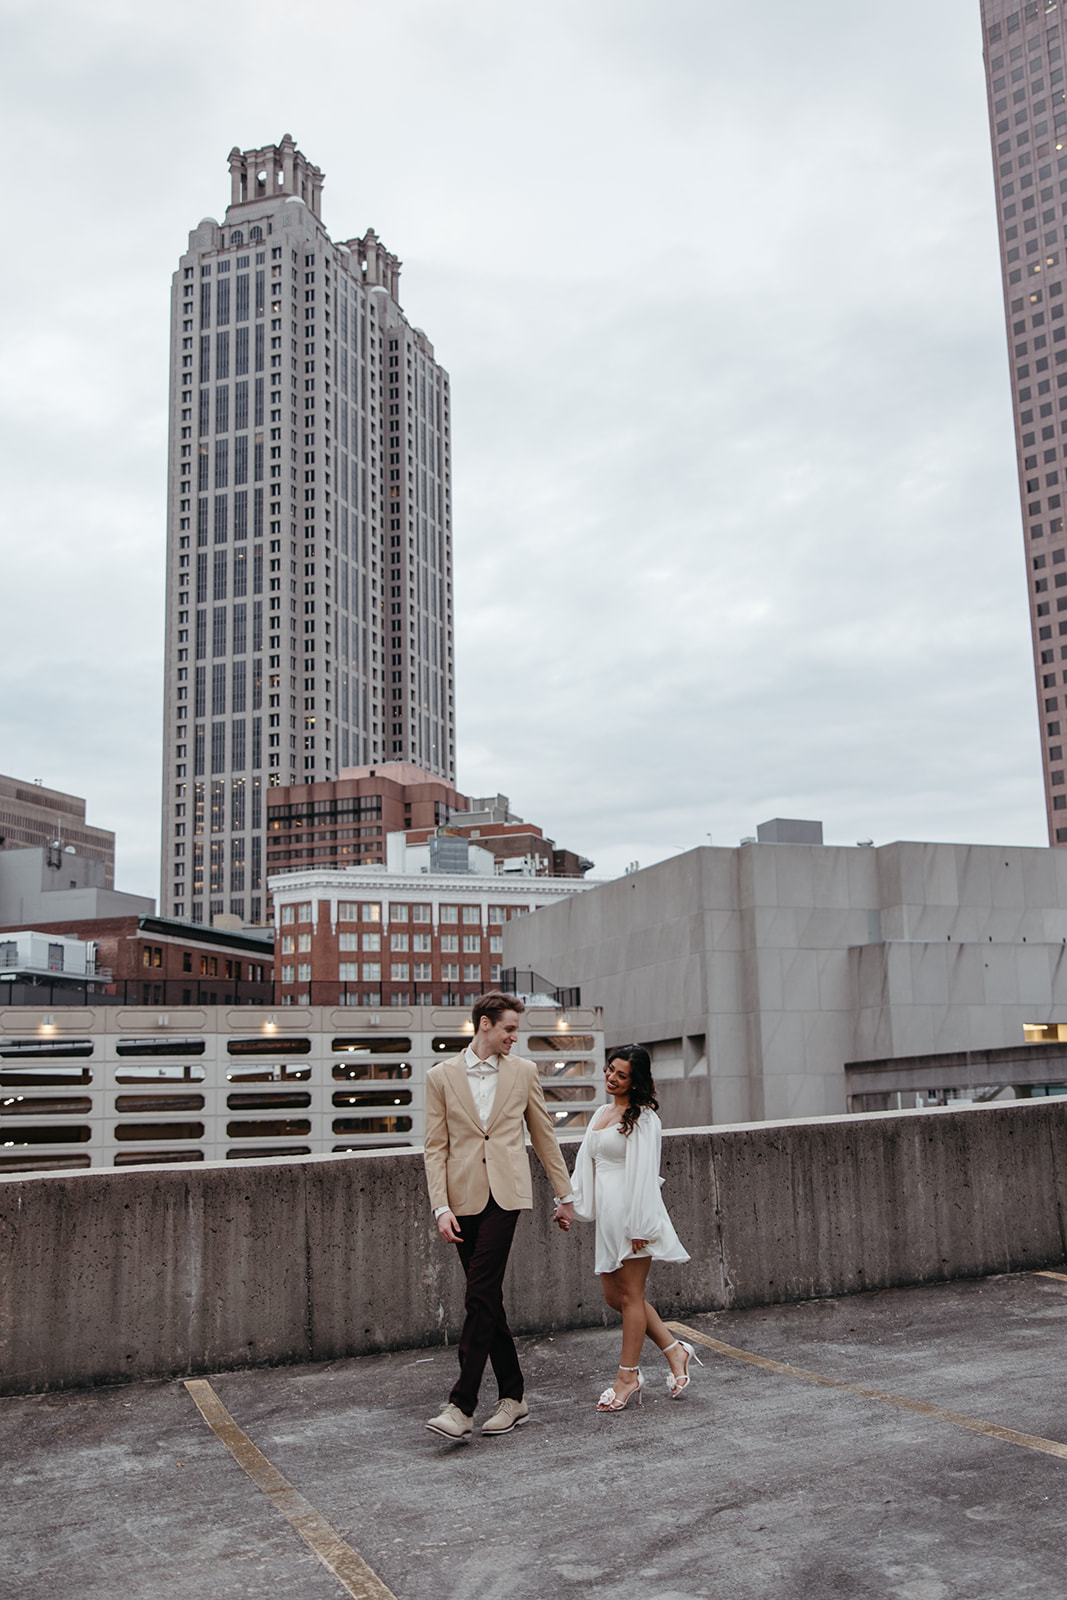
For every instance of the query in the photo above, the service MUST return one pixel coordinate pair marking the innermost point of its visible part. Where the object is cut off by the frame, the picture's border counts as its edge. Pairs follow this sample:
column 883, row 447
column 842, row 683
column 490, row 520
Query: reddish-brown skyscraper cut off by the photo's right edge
column 1028, row 118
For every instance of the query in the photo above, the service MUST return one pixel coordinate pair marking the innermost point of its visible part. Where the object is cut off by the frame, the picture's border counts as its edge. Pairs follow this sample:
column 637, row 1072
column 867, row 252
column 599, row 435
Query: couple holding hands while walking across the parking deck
column 479, row 1106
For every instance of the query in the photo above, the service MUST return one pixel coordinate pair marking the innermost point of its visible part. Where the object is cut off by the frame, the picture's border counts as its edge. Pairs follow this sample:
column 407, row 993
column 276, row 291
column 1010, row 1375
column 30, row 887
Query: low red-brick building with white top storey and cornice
column 407, row 938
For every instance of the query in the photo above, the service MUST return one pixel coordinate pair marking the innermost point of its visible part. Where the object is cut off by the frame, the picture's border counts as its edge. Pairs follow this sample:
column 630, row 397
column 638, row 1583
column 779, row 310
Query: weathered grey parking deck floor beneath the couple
column 757, row 1484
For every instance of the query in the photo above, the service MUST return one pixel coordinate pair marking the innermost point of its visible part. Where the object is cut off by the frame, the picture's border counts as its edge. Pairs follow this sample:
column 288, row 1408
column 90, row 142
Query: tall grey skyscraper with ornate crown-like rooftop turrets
column 310, row 607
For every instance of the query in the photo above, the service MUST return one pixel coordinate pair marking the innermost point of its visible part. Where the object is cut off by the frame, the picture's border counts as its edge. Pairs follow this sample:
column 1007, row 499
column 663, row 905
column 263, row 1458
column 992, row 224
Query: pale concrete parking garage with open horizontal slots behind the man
column 132, row 1087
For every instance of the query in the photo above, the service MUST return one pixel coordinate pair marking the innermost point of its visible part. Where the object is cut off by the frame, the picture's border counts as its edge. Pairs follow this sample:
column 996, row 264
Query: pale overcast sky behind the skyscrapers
column 737, row 524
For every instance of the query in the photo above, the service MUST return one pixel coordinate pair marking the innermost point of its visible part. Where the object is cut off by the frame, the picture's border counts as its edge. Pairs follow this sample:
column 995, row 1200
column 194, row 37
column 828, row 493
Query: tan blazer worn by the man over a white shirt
column 466, row 1162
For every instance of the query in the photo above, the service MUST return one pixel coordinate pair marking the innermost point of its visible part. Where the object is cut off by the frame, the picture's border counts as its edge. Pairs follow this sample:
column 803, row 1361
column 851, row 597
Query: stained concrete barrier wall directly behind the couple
column 164, row 1271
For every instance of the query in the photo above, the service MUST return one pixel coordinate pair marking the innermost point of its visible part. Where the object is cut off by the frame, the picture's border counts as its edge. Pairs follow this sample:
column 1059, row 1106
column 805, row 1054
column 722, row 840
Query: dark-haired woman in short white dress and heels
column 617, row 1186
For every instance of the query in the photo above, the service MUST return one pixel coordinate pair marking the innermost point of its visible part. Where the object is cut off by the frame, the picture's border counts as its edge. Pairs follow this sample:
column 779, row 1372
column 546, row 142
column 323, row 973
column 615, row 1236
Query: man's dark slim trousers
column 487, row 1242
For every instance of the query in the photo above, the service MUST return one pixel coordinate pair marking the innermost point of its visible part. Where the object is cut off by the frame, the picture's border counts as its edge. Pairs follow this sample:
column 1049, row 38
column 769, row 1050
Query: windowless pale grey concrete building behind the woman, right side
column 756, row 975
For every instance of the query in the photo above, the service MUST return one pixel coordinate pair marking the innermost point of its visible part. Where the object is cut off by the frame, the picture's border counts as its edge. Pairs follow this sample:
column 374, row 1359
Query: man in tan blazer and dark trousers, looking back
column 478, row 1172
